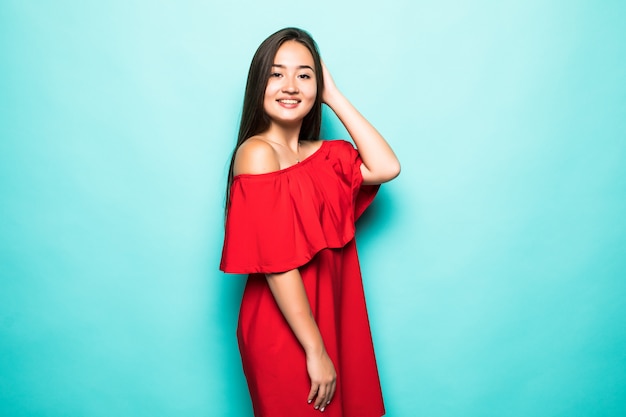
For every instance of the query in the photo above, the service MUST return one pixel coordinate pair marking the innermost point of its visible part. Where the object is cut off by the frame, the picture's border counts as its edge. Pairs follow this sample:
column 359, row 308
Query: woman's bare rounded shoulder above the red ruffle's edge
column 255, row 156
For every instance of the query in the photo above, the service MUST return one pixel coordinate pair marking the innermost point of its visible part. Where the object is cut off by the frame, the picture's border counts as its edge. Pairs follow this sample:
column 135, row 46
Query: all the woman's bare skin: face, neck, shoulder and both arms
column 293, row 78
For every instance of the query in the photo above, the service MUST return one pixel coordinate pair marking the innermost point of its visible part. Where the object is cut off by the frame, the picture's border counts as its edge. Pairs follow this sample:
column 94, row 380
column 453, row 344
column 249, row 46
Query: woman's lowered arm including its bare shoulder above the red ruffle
column 256, row 156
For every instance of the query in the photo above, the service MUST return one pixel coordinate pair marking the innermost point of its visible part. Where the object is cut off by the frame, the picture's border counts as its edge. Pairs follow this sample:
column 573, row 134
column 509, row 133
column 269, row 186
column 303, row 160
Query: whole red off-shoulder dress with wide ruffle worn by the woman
column 303, row 217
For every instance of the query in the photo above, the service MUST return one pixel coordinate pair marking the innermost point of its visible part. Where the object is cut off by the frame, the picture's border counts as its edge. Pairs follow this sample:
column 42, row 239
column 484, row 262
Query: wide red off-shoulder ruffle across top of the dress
column 278, row 221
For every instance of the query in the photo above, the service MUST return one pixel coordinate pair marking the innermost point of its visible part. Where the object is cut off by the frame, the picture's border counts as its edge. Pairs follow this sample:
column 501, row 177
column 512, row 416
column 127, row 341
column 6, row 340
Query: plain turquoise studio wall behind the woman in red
column 494, row 266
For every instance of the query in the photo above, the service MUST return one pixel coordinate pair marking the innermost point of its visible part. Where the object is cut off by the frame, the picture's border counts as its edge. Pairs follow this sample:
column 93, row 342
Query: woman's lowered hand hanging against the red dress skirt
column 323, row 379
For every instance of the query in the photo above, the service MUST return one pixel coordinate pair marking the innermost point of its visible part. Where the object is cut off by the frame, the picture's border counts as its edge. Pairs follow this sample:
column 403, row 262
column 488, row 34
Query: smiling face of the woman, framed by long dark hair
column 291, row 89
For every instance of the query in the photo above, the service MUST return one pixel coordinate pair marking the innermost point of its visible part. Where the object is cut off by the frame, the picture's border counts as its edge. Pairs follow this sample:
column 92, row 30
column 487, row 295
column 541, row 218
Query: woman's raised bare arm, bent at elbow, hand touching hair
column 380, row 163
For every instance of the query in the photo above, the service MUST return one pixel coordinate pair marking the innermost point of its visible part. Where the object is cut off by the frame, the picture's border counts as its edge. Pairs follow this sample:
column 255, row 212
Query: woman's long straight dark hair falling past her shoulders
column 254, row 120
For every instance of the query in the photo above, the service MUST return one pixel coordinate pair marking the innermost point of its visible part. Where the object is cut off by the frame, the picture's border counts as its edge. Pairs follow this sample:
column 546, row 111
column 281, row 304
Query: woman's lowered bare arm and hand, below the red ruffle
column 291, row 298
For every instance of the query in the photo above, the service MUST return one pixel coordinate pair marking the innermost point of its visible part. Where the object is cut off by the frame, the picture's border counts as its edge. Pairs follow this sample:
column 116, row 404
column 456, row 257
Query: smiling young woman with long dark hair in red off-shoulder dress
column 292, row 203
